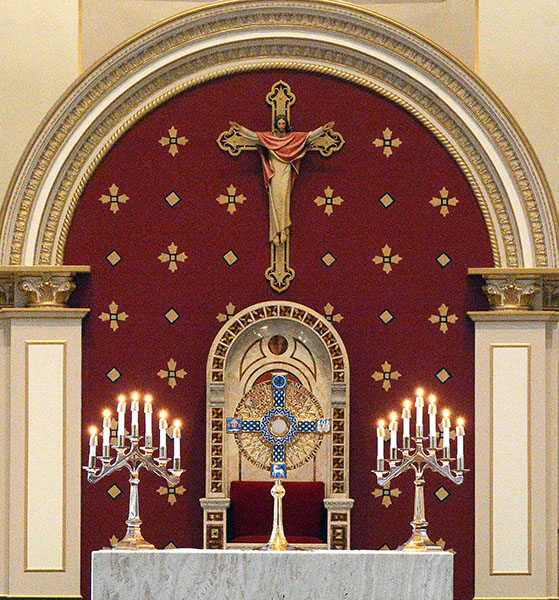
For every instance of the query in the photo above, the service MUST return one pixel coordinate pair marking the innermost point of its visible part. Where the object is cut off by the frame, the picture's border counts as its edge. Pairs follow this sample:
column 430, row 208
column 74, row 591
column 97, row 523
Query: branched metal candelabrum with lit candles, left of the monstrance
column 134, row 457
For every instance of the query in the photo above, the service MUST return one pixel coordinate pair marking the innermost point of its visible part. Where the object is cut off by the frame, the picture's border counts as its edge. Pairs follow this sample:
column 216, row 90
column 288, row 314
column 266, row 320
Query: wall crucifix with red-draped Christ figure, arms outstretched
column 281, row 152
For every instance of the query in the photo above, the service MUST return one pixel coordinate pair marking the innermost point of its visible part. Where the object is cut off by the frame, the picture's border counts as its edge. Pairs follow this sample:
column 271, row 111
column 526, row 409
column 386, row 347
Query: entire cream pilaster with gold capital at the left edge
column 40, row 431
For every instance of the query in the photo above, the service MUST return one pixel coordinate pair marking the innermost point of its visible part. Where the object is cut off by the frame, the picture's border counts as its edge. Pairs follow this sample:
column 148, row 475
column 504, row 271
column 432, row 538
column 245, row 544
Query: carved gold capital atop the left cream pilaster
column 39, row 286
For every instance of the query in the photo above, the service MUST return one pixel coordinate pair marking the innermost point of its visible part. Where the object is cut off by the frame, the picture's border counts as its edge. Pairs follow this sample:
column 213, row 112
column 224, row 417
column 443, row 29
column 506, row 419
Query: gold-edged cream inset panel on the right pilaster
column 510, row 460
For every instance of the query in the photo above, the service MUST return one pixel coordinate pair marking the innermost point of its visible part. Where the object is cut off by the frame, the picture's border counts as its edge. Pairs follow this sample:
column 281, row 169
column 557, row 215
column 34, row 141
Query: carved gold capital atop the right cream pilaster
column 519, row 290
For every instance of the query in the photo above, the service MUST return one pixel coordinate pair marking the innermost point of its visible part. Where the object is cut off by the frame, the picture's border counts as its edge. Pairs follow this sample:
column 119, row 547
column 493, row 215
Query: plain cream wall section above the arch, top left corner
column 39, row 59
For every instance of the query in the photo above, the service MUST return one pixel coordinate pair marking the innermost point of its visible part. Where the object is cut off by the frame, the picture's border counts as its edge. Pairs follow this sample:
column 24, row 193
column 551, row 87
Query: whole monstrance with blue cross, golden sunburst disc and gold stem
column 278, row 426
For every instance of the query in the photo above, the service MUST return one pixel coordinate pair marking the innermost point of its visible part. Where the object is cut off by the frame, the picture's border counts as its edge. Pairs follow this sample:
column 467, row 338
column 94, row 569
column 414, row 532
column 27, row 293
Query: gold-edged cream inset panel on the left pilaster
column 45, row 456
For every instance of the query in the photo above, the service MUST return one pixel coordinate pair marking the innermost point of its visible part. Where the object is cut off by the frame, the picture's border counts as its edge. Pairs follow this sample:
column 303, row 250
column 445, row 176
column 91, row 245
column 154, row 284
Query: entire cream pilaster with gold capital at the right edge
column 516, row 395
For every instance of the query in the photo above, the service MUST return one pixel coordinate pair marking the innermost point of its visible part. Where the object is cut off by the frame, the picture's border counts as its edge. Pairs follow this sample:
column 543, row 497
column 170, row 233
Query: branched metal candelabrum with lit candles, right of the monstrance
column 419, row 458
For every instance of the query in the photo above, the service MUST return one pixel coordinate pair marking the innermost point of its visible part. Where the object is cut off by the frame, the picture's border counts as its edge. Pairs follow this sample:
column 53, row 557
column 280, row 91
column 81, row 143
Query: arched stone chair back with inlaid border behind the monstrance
column 267, row 337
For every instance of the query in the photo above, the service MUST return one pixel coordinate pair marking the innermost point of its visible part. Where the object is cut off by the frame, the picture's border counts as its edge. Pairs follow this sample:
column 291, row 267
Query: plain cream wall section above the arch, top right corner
column 518, row 57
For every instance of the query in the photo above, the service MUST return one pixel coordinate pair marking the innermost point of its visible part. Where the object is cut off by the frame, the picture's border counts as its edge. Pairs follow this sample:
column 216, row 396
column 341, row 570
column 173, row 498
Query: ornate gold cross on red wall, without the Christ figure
column 280, row 98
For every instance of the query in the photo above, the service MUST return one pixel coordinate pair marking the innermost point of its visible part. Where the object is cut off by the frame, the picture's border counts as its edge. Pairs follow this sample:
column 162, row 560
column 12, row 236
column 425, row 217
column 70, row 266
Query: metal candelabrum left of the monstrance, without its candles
column 133, row 458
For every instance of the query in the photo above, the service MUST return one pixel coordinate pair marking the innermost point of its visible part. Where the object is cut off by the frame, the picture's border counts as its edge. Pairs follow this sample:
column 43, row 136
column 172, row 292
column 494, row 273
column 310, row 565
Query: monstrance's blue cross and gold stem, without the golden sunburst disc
column 277, row 428
